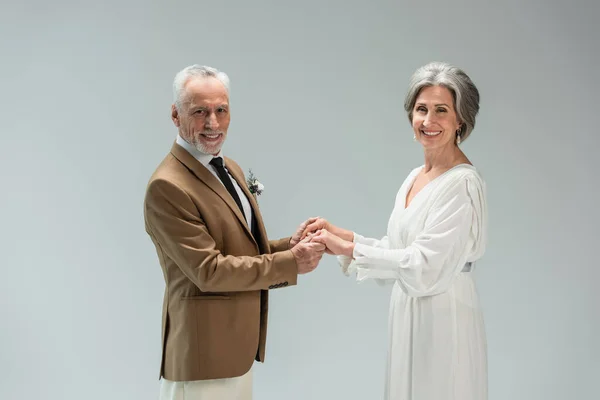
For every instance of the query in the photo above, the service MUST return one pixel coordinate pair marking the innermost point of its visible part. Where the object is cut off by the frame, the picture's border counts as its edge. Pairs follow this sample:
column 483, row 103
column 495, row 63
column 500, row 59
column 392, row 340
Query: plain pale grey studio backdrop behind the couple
column 317, row 92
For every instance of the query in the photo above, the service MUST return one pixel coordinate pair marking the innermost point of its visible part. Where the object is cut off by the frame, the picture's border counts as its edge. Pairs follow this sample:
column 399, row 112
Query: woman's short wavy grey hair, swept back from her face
column 464, row 92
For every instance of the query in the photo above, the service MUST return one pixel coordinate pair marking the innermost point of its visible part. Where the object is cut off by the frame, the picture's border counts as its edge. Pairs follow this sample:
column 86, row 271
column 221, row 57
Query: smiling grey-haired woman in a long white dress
column 435, row 234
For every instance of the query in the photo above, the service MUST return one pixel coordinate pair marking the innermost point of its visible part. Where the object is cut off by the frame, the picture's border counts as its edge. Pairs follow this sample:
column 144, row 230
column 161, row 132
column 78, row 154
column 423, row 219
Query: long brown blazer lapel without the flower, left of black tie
column 212, row 182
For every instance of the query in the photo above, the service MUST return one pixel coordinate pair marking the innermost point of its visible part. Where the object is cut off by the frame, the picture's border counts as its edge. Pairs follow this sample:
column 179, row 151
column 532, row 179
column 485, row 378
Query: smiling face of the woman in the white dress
column 434, row 118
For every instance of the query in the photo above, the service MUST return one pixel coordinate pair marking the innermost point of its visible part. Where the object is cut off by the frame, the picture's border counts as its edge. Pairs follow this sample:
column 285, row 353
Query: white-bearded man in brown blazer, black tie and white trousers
column 217, row 261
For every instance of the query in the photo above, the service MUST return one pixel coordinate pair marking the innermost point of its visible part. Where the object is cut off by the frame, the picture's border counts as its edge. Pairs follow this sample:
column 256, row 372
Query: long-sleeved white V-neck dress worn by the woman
column 437, row 342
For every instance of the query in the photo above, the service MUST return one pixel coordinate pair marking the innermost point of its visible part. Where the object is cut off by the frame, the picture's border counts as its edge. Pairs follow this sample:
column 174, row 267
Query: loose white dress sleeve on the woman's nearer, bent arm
column 428, row 265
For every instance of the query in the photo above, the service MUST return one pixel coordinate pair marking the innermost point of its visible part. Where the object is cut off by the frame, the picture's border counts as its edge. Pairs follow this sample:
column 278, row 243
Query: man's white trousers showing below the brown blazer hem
column 238, row 388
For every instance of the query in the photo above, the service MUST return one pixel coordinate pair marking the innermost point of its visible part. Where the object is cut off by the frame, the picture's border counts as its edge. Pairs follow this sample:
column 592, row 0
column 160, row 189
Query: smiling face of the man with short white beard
column 203, row 118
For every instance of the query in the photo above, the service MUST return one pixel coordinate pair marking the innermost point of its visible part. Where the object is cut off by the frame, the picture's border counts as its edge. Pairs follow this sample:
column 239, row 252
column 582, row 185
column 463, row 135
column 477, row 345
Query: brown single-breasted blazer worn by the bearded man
column 217, row 276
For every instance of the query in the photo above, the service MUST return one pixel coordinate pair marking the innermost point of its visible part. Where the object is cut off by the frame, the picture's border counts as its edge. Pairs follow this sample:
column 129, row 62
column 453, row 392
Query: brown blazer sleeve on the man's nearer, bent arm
column 180, row 233
